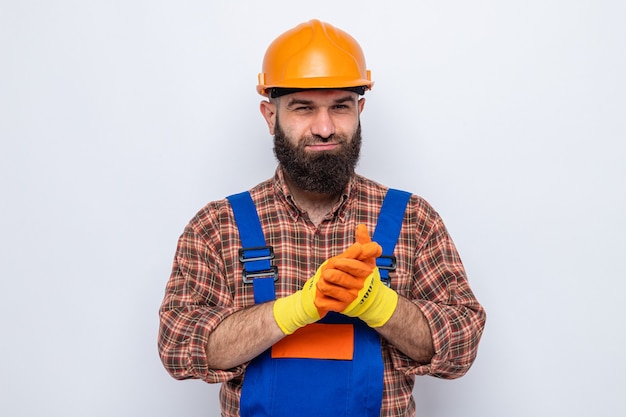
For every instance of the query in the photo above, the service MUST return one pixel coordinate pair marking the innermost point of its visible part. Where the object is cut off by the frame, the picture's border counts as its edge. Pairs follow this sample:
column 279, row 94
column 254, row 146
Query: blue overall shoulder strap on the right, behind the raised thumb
column 388, row 230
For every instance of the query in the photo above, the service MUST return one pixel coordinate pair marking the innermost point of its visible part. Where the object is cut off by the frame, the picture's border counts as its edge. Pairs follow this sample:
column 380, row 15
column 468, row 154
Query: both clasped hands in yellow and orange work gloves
column 348, row 283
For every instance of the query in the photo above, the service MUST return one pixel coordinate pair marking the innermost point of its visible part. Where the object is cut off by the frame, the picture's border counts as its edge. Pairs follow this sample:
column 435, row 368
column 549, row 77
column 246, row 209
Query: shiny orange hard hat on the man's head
column 314, row 55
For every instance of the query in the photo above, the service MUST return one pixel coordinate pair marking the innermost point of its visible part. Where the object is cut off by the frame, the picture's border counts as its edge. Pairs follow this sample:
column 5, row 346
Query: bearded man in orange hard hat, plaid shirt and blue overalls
column 329, row 322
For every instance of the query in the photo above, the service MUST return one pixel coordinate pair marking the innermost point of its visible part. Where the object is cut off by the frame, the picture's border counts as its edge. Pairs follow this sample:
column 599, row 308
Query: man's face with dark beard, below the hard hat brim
column 317, row 138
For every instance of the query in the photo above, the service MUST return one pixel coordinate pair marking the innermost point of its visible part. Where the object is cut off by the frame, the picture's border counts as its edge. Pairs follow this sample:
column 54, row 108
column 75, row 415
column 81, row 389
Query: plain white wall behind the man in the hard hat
column 120, row 119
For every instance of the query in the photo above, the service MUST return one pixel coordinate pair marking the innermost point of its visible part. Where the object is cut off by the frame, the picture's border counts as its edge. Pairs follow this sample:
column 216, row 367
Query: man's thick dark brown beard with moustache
column 325, row 172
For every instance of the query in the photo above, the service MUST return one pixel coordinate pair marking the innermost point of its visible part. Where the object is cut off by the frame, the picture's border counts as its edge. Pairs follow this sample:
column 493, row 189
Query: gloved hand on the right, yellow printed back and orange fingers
column 357, row 281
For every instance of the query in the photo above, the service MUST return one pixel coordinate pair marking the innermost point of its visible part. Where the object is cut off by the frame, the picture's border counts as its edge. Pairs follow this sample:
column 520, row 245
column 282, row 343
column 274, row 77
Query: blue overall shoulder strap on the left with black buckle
column 255, row 255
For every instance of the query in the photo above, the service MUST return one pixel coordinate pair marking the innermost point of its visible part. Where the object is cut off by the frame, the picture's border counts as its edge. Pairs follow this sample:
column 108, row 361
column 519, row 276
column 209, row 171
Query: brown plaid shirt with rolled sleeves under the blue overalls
column 206, row 285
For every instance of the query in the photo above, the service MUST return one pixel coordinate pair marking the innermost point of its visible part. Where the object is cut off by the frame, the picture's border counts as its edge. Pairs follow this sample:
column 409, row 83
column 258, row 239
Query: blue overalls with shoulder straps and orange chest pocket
column 291, row 378
